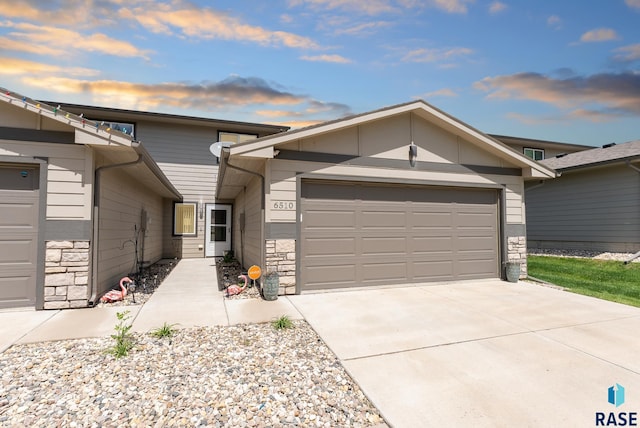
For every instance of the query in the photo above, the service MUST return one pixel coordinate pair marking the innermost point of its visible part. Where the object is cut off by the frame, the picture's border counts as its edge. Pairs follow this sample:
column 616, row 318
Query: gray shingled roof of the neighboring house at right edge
column 609, row 153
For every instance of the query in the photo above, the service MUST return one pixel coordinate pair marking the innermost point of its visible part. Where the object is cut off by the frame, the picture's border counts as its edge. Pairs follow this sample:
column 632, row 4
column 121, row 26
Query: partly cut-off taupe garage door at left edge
column 18, row 235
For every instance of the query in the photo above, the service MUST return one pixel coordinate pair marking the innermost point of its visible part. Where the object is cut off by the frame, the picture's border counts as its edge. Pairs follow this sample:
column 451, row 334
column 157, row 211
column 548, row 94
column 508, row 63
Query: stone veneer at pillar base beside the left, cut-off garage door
column 66, row 282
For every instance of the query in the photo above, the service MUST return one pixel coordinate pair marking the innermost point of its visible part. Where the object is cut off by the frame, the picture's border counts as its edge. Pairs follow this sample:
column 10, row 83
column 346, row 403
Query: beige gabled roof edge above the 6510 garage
column 419, row 108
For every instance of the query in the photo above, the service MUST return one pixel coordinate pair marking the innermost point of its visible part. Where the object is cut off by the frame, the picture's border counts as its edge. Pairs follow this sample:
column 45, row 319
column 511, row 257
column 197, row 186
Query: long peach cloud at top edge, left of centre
column 205, row 23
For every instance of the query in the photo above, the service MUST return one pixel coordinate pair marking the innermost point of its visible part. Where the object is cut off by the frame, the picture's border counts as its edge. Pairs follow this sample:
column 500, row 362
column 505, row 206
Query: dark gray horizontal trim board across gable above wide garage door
column 333, row 158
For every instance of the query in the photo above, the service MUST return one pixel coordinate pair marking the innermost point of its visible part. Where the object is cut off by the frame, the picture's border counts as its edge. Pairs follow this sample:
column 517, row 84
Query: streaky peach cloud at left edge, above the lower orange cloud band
column 54, row 41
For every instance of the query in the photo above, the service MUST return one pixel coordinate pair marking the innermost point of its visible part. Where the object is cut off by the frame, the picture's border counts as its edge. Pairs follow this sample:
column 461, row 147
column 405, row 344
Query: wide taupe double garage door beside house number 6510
column 366, row 234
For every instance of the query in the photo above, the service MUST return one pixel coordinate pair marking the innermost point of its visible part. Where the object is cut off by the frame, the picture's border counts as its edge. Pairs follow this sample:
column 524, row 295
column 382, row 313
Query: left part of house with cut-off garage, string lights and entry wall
column 83, row 202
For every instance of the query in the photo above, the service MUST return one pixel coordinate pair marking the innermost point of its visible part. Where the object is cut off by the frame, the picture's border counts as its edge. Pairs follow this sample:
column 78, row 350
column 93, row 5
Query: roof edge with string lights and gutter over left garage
column 98, row 136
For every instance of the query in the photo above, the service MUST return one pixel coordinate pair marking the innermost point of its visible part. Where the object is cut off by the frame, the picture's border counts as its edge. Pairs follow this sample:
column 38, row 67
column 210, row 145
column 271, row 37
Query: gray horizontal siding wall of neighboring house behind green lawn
column 598, row 206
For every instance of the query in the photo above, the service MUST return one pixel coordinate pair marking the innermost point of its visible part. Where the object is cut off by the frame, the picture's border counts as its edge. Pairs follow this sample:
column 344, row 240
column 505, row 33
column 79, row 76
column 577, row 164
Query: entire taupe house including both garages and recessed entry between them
column 404, row 194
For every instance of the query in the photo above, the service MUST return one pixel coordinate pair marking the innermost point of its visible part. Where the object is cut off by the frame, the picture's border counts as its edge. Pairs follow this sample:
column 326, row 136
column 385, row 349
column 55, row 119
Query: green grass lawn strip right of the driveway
column 607, row 280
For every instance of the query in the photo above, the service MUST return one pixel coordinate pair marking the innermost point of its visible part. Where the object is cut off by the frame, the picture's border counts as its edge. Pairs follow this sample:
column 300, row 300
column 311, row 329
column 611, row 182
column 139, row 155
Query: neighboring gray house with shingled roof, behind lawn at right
column 593, row 205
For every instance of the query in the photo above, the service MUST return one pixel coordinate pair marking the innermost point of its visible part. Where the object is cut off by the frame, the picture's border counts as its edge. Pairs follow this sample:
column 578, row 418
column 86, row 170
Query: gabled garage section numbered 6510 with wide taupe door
column 405, row 194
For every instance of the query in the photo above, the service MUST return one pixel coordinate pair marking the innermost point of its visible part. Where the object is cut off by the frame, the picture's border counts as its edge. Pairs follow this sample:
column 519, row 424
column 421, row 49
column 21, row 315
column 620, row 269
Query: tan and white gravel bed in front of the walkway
column 234, row 376
